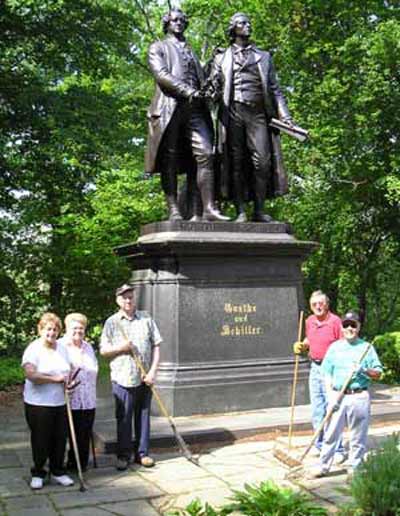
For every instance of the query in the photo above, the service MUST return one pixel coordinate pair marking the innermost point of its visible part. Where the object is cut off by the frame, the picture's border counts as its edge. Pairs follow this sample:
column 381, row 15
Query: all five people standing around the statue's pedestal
column 333, row 344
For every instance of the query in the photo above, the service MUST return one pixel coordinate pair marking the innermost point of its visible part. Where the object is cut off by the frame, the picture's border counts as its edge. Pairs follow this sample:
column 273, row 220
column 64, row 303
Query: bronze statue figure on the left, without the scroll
column 180, row 127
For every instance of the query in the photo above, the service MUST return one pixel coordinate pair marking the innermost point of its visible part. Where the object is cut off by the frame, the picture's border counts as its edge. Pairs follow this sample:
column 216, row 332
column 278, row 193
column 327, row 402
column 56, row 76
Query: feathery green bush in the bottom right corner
column 376, row 485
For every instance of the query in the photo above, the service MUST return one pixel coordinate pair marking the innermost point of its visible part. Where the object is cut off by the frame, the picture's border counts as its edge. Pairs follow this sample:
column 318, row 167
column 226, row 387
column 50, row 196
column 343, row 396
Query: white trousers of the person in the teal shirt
column 354, row 411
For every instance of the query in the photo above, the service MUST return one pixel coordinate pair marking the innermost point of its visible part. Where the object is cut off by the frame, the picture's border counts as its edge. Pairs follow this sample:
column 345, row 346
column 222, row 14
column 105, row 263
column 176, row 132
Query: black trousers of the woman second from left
column 83, row 424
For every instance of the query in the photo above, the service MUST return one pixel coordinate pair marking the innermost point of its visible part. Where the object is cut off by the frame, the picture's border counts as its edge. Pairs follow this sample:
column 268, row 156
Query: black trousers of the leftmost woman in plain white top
column 48, row 426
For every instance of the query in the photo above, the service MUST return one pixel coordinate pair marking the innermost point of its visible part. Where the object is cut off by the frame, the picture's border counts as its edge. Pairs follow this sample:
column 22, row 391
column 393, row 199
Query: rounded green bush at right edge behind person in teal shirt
column 388, row 348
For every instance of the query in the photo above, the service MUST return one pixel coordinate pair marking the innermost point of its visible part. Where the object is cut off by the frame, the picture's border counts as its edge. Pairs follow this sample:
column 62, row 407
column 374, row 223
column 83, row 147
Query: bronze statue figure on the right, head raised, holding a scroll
column 243, row 78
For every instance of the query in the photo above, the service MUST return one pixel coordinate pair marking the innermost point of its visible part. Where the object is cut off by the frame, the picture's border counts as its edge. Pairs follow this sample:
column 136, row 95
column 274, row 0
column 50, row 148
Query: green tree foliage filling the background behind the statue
column 74, row 92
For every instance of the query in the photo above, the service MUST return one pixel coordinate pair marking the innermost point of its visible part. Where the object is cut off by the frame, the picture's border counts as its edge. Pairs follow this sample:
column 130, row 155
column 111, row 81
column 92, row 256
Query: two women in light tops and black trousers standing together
column 50, row 364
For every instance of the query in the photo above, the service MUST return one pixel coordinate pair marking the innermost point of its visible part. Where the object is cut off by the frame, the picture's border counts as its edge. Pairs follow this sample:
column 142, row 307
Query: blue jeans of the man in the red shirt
column 319, row 403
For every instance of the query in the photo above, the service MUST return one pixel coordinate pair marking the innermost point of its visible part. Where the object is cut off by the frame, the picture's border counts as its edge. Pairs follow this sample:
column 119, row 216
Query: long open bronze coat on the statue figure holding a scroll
column 274, row 105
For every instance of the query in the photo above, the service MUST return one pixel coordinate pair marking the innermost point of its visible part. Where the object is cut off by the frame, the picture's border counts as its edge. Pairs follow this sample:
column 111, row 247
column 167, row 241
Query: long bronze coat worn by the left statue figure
column 165, row 64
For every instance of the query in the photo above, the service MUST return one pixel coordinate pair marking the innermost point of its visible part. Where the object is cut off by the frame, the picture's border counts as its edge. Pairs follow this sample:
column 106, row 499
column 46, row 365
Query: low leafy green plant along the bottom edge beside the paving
column 268, row 499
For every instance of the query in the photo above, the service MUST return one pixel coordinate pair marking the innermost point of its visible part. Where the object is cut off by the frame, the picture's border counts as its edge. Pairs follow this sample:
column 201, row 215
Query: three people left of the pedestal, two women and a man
column 67, row 367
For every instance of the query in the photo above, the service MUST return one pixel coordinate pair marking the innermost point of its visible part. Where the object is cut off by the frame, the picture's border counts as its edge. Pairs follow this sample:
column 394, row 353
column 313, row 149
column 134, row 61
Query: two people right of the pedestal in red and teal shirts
column 336, row 350
